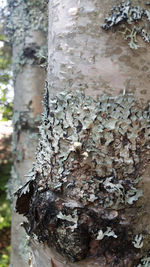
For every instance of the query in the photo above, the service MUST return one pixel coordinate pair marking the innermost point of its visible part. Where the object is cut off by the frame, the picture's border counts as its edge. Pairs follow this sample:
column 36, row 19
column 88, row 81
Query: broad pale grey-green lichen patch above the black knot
column 107, row 132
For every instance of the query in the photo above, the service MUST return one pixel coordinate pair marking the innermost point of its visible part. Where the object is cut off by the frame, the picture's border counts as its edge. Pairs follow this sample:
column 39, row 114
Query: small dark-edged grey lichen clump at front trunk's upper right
column 125, row 15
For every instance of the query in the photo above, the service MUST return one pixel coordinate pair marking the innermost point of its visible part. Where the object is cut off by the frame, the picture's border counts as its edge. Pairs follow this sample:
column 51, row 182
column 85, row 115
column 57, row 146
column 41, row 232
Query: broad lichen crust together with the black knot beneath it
column 89, row 162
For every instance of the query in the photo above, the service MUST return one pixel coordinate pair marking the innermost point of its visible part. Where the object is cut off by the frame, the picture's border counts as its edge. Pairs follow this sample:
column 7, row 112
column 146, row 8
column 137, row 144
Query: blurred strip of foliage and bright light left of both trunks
column 6, row 106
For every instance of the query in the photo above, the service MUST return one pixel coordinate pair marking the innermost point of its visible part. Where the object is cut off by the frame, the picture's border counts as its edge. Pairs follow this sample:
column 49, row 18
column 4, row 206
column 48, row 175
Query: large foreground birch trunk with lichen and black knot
column 75, row 220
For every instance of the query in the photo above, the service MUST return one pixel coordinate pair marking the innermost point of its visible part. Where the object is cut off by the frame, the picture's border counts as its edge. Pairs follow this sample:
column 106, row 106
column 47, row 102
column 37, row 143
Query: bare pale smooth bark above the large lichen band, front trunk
column 84, row 56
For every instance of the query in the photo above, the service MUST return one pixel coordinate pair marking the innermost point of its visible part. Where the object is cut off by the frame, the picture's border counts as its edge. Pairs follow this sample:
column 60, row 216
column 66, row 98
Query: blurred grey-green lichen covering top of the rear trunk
column 25, row 19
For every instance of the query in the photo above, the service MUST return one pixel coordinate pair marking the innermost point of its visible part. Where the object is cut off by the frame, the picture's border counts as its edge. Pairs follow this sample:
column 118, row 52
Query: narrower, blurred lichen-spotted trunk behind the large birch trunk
column 27, row 27
